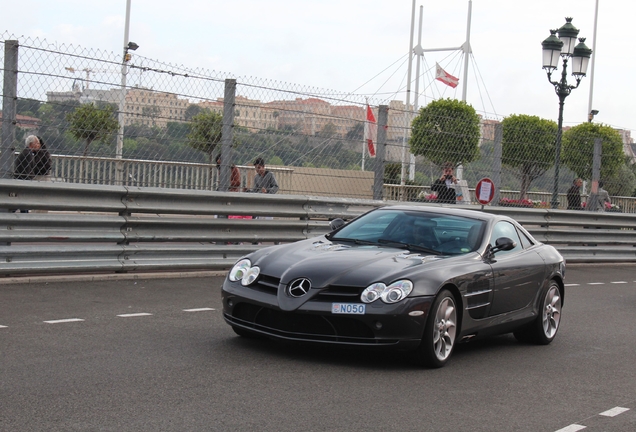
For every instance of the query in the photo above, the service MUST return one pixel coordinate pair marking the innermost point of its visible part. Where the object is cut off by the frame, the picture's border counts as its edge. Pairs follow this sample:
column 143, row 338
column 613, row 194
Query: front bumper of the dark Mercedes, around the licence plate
column 398, row 325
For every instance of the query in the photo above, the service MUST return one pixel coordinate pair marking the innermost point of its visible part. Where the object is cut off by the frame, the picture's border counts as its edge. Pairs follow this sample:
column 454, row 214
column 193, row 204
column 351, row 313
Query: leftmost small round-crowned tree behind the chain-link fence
column 89, row 123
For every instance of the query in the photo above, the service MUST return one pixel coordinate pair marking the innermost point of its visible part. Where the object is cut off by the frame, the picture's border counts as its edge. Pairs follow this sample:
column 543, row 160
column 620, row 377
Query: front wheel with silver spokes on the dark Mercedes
column 440, row 332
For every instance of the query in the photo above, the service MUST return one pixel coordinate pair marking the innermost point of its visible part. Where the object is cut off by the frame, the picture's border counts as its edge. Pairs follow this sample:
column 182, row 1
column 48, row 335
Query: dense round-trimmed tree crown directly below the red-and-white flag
column 446, row 130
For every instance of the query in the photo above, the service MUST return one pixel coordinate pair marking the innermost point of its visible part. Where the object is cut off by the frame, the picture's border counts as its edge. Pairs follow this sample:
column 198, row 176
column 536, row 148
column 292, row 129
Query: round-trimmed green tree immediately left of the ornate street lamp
column 528, row 146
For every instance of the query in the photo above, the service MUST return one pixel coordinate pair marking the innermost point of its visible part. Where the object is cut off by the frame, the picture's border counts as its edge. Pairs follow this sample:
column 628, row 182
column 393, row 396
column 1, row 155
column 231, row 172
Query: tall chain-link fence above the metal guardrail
column 137, row 121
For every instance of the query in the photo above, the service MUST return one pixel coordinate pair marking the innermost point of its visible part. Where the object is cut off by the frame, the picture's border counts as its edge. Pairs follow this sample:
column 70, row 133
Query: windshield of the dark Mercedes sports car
column 416, row 230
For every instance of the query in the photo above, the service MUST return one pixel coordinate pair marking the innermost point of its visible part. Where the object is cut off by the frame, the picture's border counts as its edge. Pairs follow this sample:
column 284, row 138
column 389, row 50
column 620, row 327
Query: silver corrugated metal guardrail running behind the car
column 94, row 228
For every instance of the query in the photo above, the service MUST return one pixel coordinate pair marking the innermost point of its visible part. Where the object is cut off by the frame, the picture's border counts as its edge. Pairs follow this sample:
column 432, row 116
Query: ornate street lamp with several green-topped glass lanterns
column 564, row 47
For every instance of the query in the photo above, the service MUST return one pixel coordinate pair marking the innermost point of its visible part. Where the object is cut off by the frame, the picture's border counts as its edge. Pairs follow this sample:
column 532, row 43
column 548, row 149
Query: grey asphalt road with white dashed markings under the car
column 156, row 355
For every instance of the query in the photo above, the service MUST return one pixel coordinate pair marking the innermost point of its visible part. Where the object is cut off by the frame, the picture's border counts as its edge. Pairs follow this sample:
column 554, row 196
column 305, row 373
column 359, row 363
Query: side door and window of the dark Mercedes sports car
column 517, row 273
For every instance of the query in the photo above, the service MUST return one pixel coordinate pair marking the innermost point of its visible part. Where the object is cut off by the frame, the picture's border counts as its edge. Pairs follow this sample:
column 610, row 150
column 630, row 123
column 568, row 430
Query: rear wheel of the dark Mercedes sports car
column 544, row 328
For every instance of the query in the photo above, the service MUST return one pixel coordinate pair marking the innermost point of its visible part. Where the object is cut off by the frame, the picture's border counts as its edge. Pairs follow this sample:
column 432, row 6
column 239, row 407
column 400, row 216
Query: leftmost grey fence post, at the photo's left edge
column 9, row 107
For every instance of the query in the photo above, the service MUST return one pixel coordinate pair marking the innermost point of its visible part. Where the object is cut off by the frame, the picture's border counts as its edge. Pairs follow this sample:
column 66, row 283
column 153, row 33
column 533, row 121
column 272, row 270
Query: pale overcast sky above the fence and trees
column 361, row 45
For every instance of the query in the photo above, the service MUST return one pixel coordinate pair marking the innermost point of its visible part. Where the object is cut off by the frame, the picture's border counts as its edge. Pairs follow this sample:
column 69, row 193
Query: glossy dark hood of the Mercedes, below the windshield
column 327, row 263
